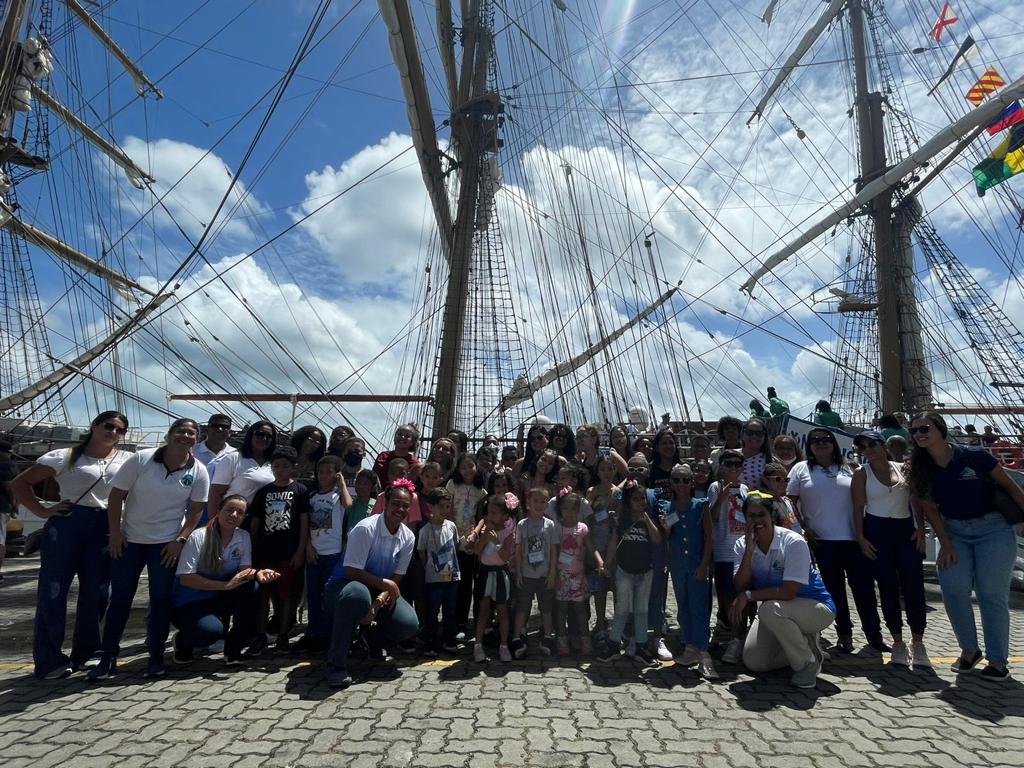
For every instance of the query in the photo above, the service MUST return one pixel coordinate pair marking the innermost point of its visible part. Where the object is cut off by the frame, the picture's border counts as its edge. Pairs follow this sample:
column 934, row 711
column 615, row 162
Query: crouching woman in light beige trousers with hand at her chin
column 773, row 567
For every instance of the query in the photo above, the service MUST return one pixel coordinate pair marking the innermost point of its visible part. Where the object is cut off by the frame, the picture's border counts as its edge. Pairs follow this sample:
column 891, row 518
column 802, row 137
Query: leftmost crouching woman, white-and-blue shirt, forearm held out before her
column 216, row 587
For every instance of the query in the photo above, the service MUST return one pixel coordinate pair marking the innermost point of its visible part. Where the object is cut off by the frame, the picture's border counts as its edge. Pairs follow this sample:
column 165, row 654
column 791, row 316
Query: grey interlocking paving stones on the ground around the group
column 528, row 714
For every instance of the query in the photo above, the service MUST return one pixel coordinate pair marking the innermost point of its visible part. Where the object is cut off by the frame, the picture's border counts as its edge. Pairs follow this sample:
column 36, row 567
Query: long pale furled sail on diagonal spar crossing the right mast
column 984, row 115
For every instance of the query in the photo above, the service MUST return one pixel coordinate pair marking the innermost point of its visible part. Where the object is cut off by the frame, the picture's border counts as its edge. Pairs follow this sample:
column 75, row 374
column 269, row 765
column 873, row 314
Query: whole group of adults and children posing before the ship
column 450, row 552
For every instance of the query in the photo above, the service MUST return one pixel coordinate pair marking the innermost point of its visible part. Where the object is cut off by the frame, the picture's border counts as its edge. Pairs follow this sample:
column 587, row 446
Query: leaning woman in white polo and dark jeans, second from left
column 156, row 502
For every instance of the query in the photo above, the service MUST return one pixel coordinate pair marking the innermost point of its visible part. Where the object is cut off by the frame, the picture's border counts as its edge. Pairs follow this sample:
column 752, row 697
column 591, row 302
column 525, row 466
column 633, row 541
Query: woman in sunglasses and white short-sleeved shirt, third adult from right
column 822, row 488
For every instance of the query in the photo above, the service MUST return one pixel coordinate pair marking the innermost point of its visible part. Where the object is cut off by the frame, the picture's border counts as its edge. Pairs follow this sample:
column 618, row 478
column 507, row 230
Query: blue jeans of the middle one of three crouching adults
column 347, row 604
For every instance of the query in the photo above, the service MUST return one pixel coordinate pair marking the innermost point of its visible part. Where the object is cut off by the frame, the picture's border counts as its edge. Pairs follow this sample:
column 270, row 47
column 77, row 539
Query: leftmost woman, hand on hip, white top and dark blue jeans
column 74, row 543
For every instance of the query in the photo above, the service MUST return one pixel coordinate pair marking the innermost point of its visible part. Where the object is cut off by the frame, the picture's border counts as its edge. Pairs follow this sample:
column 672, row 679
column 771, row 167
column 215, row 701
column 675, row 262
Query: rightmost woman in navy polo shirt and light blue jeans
column 954, row 487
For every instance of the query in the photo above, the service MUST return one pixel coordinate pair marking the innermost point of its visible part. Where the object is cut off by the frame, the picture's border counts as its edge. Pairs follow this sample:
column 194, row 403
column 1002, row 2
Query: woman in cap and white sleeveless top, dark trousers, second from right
column 893, row 544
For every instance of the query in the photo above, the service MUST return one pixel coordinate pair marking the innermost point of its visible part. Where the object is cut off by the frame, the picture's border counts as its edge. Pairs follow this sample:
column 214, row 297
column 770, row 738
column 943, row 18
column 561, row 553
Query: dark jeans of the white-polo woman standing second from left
column 124, row 581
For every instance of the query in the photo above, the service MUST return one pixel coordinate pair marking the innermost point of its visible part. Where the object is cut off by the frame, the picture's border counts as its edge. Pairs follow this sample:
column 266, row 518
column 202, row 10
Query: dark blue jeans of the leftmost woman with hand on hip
column 74, row 545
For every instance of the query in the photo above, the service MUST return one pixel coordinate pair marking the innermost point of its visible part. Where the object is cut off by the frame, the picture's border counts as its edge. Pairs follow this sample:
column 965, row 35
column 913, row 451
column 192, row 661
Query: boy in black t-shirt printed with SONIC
column 278, row 523
